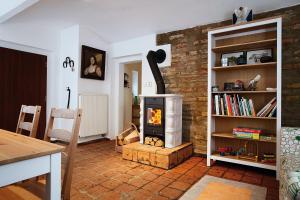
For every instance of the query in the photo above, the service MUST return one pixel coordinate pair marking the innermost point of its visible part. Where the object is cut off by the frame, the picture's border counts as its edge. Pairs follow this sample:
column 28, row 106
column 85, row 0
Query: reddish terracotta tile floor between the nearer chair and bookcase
column 101, row 173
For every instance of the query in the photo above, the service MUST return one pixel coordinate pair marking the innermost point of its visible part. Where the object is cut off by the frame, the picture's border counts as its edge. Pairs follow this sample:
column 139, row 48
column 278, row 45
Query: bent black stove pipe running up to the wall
column 153, row 58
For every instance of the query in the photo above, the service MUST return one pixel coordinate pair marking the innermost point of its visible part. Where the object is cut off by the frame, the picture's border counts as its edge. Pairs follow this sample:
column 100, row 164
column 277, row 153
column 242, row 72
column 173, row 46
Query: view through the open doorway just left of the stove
column 132, row 89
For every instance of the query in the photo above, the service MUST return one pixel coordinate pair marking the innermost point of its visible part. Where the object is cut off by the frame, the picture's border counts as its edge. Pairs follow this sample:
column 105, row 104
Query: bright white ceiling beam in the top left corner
column 11, row 8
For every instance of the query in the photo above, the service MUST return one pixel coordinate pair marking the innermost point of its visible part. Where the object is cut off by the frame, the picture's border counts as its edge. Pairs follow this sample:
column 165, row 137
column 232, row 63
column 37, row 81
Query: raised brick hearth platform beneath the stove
column 165, row 158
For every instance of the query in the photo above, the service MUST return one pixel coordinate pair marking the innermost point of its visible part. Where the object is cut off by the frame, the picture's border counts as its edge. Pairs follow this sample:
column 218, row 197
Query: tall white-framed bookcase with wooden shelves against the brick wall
column 255, row 35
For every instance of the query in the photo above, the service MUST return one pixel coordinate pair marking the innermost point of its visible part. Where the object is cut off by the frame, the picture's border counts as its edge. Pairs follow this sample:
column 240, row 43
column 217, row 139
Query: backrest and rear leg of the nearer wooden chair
column 70, row 137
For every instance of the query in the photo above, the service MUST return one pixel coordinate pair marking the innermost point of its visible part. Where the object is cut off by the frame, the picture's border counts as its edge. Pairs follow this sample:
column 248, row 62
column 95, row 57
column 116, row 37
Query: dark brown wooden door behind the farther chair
column 23, row 79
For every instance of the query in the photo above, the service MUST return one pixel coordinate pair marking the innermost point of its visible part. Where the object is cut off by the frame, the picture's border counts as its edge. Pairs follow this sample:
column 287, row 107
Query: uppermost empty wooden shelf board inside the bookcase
column 245, row 46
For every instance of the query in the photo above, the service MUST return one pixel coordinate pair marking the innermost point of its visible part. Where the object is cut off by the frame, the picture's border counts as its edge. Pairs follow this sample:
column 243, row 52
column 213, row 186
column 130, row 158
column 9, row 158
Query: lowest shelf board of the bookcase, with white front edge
column 234, row 159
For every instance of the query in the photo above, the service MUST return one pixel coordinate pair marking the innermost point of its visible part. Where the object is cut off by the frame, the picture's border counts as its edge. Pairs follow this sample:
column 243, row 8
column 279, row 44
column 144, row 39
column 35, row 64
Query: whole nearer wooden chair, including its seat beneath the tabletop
column 33, row 190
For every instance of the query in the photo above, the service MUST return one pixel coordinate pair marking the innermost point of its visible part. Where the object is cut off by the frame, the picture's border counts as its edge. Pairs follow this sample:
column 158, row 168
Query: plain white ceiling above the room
column 117, row 20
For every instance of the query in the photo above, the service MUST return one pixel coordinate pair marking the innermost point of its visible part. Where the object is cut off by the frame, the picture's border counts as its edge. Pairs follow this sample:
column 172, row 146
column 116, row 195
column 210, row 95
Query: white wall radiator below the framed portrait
column 94, row 119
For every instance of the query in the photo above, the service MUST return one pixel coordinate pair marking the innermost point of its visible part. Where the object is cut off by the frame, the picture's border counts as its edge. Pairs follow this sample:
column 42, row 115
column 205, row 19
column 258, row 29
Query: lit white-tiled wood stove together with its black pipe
column 161, row 114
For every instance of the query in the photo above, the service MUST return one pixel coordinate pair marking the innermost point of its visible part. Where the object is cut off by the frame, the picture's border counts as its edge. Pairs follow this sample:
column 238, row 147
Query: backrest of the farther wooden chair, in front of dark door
column 29, row 126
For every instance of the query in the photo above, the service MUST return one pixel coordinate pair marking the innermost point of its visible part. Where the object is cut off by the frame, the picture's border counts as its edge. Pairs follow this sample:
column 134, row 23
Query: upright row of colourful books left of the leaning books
column 233, row 105
